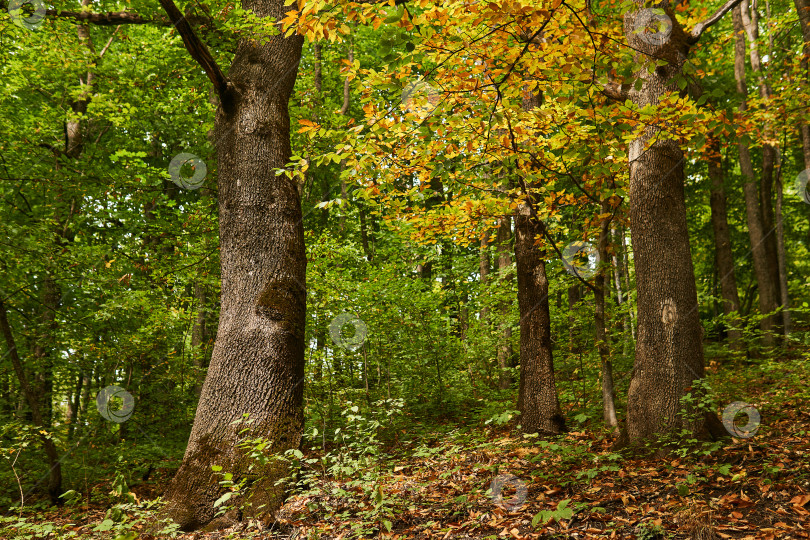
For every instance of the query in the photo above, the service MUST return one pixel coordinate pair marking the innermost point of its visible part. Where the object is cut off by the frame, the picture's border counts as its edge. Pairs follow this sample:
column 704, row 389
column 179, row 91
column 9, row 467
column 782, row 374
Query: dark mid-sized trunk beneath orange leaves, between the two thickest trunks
column 537, row 395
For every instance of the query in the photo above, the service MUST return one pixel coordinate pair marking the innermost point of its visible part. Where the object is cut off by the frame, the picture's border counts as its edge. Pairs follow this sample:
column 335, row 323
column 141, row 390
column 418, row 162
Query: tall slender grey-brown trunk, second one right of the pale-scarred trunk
column 756, row 230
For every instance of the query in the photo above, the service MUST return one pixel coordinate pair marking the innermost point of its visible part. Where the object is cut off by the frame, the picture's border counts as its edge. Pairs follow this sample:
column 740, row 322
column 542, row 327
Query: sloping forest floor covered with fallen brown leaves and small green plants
column 574, row 486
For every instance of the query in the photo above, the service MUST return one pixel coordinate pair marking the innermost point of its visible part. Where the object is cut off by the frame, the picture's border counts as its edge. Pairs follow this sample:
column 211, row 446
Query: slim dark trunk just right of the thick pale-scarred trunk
column 722, row 243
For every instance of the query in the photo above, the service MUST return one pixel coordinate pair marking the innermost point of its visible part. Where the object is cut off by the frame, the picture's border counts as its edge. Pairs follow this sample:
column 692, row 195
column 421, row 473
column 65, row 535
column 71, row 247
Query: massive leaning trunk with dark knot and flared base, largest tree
column 257, row 366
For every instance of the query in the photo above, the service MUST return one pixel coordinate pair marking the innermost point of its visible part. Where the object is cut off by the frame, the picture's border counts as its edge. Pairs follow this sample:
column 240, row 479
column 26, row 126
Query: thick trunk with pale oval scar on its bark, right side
column 669, row 352
